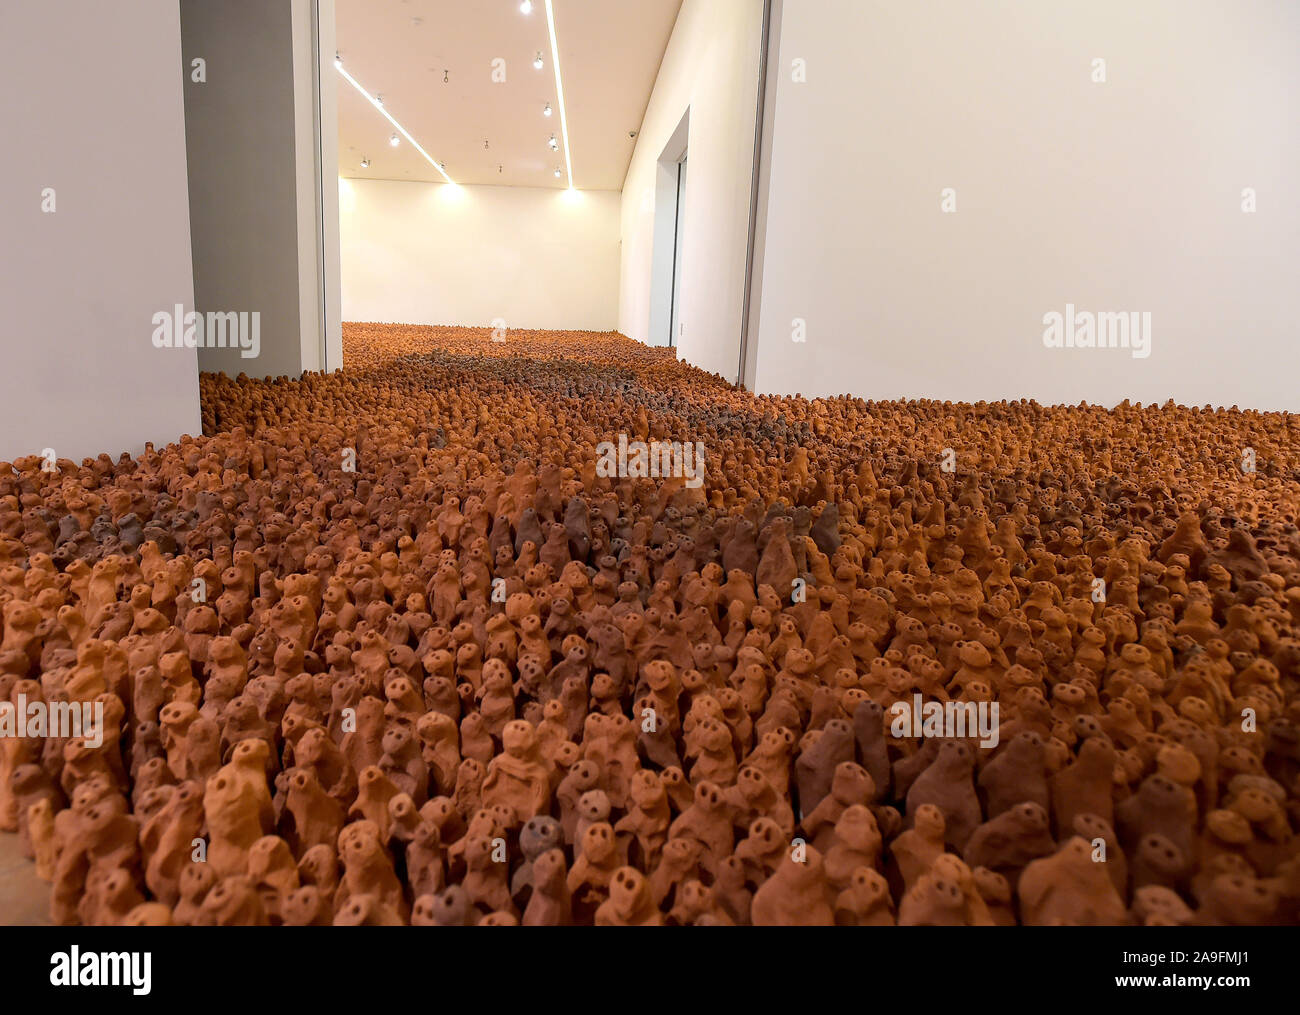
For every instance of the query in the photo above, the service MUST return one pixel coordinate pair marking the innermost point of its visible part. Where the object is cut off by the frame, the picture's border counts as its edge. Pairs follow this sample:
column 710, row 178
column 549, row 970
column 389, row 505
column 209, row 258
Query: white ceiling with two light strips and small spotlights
column 401, row 50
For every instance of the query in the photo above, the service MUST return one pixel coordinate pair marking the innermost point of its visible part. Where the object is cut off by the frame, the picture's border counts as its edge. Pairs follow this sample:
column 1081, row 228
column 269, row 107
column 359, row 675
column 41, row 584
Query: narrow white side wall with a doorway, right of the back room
column 709, row 71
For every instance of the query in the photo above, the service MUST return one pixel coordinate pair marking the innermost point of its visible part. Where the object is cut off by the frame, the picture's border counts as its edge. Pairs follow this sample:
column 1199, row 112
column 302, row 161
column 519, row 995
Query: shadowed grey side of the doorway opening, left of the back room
column 252, row 135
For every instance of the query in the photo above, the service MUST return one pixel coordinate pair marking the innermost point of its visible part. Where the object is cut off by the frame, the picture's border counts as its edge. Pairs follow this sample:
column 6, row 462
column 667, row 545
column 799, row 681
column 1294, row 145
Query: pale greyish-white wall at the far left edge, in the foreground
column 94, row 124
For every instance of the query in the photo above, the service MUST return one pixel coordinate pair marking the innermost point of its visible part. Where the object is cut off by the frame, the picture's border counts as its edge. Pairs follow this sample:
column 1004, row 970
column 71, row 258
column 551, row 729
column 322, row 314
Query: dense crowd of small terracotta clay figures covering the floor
column 384, row 647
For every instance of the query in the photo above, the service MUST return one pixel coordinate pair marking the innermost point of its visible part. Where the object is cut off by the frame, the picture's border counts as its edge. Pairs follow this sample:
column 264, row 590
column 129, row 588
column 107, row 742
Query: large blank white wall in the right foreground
column 1126, row 196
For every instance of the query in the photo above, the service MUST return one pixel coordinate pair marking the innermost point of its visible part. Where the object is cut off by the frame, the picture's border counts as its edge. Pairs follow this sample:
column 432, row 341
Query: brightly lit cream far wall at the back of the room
column 470, row 255
